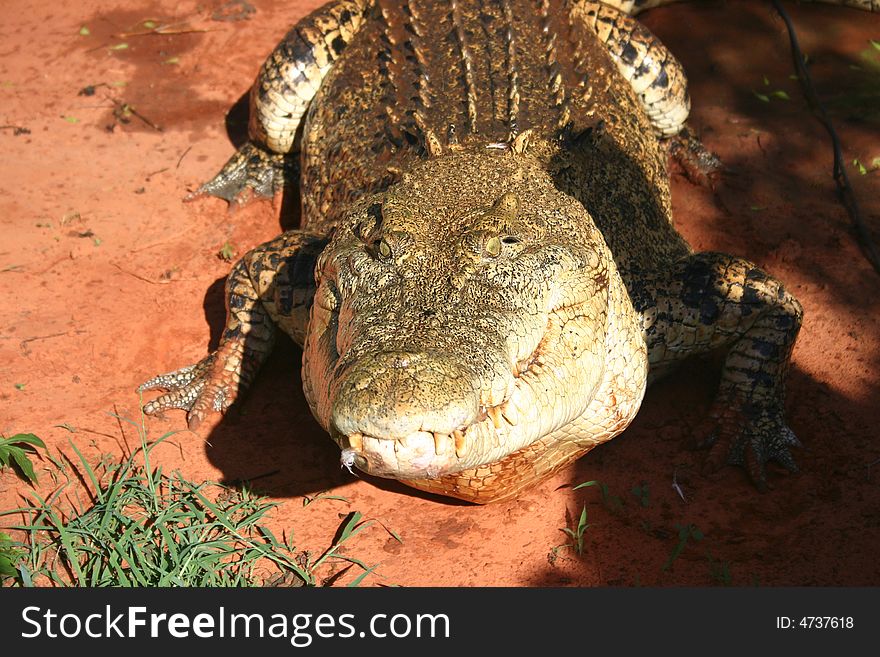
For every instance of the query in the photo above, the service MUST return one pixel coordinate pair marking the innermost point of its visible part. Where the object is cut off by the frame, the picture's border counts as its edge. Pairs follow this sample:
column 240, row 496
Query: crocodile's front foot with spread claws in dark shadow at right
column 750, row 435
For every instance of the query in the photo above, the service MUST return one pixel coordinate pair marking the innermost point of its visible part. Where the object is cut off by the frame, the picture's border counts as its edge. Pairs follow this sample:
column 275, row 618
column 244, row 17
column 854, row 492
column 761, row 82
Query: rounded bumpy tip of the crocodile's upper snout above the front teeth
column 392, row 395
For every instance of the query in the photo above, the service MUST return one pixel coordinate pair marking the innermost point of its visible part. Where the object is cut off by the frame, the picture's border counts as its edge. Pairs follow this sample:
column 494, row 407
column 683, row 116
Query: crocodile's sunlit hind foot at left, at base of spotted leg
column 251, row 172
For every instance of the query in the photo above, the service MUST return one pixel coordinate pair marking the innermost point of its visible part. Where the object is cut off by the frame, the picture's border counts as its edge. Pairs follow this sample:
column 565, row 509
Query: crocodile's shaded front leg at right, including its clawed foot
column 712, row 301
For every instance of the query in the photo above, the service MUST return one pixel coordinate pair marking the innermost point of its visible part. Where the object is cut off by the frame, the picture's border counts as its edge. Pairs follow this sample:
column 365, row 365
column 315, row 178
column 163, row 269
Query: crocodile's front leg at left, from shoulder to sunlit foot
column 270, row 288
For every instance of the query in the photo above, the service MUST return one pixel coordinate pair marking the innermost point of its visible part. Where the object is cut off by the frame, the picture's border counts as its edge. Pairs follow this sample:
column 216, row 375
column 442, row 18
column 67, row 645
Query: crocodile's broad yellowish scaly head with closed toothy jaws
column 462, row 316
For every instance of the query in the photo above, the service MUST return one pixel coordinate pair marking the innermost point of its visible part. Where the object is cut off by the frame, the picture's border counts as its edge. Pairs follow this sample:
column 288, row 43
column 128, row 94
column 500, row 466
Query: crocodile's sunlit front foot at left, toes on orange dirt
column 211, row 385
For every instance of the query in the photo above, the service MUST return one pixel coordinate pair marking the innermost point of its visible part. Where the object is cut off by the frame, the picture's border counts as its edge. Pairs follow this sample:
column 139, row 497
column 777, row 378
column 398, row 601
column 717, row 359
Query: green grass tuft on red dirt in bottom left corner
column 143, row 527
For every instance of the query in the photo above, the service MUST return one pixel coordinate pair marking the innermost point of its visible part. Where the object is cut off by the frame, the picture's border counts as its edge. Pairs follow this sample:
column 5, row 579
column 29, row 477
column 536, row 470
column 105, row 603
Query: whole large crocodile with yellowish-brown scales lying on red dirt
column 487, row 276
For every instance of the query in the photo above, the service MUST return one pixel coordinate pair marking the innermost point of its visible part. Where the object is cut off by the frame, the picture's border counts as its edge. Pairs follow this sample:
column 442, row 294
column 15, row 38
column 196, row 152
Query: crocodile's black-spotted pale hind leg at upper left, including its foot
column 287, row 82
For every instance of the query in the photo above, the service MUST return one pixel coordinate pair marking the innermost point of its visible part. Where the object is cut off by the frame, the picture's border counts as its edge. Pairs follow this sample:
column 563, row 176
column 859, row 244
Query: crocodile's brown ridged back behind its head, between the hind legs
column 424, row 77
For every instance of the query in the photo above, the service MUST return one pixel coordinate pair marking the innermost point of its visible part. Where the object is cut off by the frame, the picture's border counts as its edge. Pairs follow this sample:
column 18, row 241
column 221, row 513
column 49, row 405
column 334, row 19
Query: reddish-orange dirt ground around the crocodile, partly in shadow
column 109, row 278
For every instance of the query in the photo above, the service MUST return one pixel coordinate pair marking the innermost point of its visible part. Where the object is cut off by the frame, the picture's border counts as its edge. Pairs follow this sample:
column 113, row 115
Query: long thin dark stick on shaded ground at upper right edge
column 847, row 195
